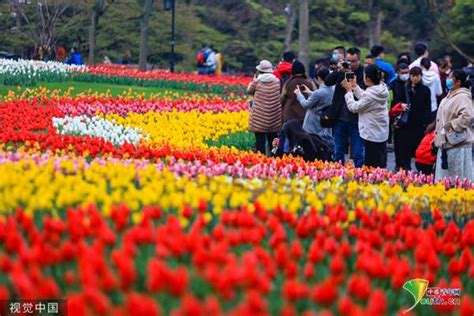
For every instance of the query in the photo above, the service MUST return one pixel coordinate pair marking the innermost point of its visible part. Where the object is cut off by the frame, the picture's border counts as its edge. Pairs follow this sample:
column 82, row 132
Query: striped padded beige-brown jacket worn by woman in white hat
column 266, row 112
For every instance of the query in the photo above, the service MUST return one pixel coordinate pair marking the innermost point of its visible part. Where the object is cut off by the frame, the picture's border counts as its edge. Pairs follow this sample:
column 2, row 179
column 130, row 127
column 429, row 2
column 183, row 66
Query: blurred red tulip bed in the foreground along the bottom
column 242, row 262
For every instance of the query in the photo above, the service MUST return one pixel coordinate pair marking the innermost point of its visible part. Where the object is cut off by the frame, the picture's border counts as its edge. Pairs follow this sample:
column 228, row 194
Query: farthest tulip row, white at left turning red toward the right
column 30, row 73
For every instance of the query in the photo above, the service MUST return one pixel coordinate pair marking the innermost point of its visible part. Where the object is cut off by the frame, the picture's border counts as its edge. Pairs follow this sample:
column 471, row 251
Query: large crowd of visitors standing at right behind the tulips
column 424, row 108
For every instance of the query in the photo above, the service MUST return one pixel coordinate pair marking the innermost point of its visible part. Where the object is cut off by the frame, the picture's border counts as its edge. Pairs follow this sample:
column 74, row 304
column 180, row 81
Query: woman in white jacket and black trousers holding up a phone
column 372, row 108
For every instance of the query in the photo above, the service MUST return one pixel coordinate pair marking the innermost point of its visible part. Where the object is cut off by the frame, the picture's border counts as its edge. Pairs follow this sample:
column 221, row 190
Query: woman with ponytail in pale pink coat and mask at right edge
column 453, row 135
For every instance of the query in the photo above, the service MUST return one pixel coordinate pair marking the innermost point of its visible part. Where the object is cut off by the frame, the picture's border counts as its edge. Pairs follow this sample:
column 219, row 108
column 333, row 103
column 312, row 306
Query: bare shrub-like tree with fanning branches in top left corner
column 37, row 21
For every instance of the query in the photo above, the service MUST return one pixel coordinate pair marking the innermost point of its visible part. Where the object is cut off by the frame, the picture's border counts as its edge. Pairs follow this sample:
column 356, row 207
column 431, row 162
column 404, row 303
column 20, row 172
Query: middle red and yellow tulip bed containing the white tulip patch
column 97, row 126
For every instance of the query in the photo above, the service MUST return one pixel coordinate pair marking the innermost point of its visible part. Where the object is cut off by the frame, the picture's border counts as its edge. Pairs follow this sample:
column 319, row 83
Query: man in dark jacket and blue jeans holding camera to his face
column 346, row 123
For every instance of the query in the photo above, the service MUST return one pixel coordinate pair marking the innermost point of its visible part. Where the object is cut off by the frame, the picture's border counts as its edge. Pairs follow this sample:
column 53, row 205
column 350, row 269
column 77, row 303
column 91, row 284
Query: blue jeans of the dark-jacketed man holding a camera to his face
column 342, row 132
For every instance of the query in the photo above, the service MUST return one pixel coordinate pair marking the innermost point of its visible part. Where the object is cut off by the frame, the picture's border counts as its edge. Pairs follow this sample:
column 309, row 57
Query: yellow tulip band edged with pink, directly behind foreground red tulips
column 52, row 184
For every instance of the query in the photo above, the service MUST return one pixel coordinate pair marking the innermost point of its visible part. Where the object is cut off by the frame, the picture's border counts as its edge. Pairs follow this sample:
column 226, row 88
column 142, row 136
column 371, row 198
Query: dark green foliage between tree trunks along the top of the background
column 246, row 31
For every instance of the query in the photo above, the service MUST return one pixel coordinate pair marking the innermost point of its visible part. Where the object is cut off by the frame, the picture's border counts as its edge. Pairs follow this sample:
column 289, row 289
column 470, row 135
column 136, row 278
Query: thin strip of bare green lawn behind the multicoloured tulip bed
column 79, row 87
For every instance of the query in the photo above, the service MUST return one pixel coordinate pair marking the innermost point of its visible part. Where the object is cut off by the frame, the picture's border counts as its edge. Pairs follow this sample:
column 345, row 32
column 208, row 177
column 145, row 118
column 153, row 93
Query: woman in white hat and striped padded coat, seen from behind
column 265, row 113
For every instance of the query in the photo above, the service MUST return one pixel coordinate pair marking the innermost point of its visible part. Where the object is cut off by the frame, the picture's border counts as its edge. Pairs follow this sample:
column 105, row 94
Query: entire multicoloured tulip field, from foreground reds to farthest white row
column 156, row 204
